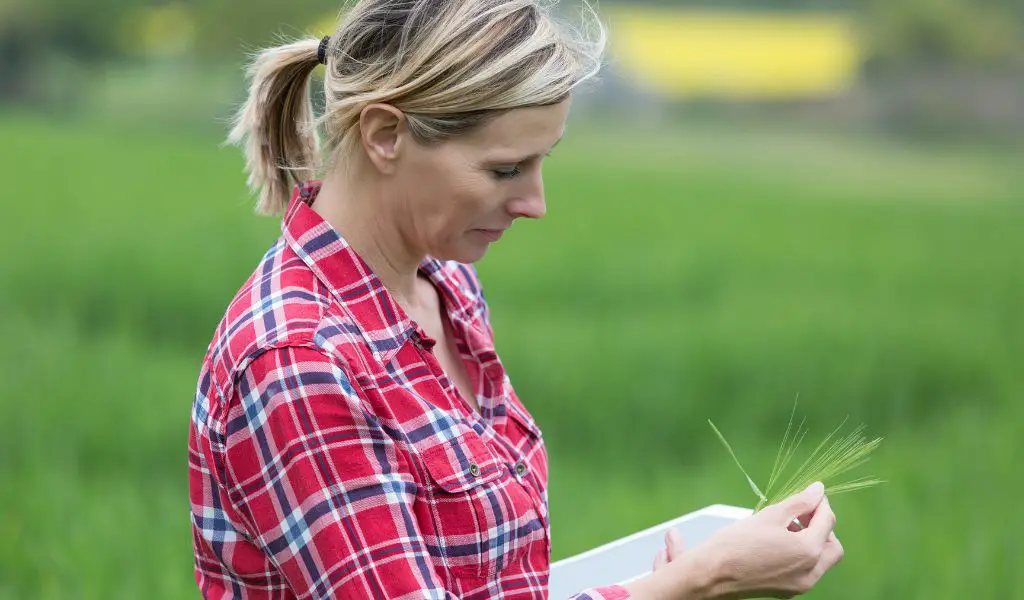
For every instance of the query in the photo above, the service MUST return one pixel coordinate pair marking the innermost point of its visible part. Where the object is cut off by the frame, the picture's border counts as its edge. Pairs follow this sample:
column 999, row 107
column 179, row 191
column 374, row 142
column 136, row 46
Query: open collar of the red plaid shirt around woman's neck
column 382, row 323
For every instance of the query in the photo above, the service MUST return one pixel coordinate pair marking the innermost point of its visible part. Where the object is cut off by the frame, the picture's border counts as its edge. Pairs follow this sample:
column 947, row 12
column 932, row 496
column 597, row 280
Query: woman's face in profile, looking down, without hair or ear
column 457, row 198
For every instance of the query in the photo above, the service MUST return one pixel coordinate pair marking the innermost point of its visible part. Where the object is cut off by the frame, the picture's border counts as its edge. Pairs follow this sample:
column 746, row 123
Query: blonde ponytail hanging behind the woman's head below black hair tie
column 275, row 127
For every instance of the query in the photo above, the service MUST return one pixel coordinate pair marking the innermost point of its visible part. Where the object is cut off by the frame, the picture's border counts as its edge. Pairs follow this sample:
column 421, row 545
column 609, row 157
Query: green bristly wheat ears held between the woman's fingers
column 825, row 464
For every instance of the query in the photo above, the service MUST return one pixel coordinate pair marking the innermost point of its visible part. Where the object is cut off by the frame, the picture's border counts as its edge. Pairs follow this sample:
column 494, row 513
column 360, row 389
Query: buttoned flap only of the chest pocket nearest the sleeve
column 462, row 463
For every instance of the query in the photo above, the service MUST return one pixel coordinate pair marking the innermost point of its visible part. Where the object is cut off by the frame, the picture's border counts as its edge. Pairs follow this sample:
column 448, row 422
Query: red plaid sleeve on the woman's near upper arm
column 326, row 493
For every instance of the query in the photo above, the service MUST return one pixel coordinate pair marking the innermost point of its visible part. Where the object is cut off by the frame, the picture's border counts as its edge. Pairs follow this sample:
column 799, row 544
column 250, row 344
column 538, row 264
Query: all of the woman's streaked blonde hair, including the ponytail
column 448, row 65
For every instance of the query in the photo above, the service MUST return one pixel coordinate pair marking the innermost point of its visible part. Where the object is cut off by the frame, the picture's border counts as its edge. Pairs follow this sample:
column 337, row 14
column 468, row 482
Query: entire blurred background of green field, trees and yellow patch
column 759, row 200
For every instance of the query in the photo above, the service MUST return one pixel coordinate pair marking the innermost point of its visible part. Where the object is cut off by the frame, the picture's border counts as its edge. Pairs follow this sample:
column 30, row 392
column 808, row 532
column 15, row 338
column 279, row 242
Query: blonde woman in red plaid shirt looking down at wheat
column 355, row 434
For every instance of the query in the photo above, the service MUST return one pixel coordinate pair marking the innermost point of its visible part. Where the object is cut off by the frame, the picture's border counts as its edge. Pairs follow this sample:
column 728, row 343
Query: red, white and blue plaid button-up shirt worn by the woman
column 331, row 457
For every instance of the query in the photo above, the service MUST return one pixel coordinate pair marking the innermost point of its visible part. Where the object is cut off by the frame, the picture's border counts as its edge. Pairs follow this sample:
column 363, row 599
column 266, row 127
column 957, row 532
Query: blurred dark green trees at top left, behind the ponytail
column 48, row 44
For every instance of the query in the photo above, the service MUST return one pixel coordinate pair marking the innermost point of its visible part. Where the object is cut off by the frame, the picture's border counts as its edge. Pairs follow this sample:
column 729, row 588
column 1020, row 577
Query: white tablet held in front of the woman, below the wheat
column 632, row 556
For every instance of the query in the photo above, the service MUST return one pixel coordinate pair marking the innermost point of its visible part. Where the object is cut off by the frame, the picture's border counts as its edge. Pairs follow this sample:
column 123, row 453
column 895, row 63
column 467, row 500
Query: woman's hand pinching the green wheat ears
column 764, row 555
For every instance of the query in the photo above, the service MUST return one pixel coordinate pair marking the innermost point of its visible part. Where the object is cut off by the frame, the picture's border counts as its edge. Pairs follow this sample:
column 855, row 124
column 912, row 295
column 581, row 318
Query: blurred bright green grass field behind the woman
column 679, row 277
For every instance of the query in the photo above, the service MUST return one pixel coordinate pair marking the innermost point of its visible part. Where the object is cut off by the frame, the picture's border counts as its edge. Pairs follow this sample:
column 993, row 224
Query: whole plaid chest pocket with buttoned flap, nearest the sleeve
column 483, row 520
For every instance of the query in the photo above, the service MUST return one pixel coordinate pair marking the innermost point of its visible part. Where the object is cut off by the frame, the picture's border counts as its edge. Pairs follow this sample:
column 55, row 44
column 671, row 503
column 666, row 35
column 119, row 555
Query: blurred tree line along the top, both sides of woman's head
column 928, row 62
